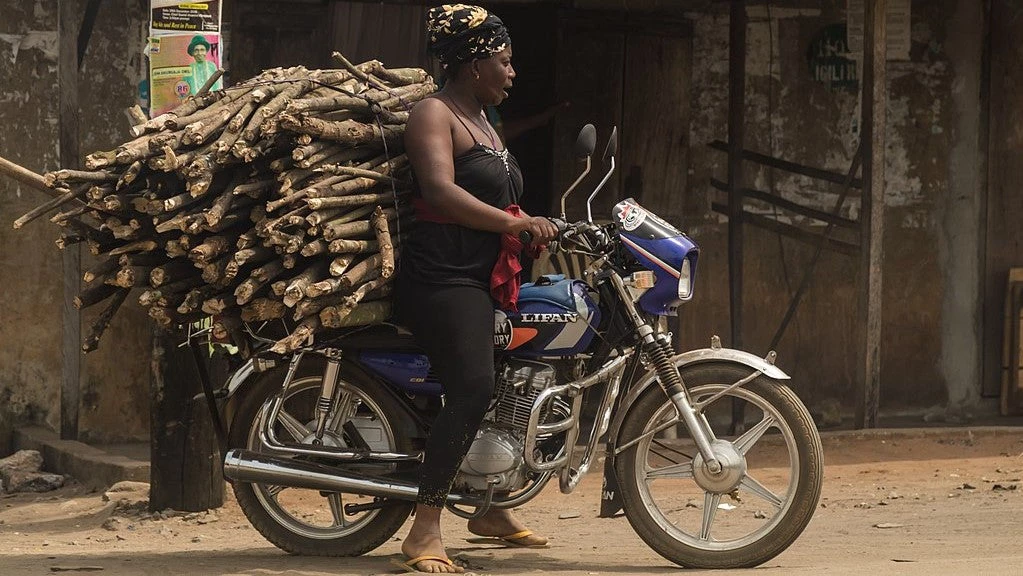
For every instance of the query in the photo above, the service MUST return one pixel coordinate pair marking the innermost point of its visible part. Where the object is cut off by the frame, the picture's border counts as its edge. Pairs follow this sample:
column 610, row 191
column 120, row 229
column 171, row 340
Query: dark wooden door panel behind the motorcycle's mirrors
column 633, row 72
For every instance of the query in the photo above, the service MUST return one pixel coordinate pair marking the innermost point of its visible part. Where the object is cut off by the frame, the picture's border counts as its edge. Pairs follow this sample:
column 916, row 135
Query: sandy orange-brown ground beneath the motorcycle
column 947, row 502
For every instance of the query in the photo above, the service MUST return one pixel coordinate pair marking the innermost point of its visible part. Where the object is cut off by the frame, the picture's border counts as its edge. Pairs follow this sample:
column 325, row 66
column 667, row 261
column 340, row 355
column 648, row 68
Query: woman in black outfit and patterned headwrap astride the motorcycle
column 466, row 180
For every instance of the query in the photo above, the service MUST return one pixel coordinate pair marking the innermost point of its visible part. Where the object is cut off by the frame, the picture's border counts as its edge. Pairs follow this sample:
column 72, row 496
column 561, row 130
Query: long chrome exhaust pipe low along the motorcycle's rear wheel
column 246, row 466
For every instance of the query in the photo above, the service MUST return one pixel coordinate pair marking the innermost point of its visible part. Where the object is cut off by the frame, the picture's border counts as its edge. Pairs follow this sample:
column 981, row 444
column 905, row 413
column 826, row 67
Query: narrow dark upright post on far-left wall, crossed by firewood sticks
column 69, row 22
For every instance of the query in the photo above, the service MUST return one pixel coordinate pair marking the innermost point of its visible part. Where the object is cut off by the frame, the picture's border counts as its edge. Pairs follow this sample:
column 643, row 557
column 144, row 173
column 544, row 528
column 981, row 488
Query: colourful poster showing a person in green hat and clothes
column 180, row 67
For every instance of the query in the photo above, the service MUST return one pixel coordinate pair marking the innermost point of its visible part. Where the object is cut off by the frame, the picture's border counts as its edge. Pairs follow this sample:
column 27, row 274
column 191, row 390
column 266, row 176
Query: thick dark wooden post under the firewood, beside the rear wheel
column 186, row 471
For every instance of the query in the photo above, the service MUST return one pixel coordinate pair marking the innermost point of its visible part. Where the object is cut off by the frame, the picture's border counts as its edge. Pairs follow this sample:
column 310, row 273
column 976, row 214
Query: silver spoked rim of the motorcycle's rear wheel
column 308, row 513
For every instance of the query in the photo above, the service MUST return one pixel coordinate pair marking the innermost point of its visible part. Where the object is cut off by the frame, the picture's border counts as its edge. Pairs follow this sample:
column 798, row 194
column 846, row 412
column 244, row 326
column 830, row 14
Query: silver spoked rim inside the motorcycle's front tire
column 697, row 508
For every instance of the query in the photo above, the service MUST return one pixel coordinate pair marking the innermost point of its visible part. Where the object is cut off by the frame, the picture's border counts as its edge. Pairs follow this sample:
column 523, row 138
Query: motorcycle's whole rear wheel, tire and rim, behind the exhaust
column 309, row 522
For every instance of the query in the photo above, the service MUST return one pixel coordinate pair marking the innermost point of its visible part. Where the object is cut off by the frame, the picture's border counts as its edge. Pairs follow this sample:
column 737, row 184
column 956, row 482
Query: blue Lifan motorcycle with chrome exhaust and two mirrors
column 344, row 420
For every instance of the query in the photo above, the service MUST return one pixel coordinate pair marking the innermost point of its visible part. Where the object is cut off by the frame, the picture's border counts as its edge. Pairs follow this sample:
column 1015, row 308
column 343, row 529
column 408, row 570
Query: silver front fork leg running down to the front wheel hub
column 659, row 353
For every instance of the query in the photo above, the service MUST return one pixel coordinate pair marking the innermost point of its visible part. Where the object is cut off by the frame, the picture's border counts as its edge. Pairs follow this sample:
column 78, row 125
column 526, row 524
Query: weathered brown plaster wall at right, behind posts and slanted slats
column 931, row 319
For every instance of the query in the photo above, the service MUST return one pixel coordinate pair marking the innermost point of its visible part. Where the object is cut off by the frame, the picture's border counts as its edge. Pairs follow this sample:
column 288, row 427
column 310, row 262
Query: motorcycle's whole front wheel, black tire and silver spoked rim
column 761, row 502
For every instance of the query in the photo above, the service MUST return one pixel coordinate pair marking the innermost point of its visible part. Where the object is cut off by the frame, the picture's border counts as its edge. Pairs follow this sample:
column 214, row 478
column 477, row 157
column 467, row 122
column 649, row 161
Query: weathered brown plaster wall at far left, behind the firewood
column 115, row 405
